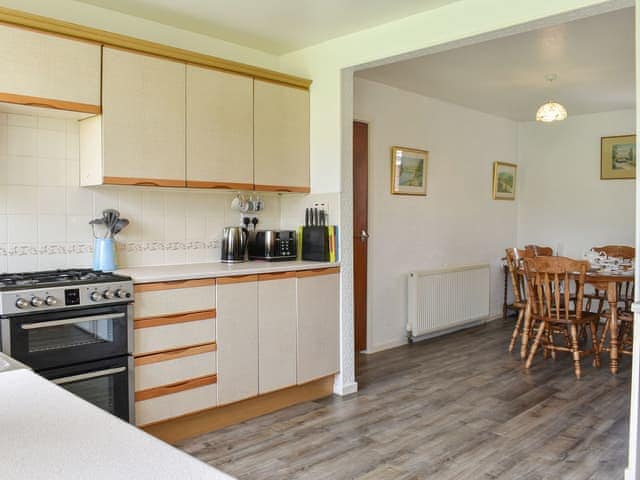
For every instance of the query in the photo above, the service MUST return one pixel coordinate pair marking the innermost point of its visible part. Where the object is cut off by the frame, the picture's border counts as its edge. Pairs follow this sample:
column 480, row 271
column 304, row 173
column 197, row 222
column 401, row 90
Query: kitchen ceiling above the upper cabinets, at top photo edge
column 275, row 26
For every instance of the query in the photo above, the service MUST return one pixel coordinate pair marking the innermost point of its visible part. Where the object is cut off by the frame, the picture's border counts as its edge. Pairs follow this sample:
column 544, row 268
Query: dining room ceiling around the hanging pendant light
column 593, row 58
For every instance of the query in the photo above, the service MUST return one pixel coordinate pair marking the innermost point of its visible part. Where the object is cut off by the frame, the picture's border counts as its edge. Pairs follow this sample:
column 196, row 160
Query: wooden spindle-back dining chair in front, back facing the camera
column 548, row 278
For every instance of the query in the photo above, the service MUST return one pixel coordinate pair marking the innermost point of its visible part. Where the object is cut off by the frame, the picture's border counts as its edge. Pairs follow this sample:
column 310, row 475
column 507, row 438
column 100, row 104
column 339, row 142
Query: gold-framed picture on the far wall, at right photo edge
column 618, row 157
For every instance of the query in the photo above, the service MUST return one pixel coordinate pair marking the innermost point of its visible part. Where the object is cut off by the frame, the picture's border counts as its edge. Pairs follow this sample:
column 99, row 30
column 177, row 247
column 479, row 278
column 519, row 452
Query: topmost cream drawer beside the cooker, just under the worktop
column 167, row 298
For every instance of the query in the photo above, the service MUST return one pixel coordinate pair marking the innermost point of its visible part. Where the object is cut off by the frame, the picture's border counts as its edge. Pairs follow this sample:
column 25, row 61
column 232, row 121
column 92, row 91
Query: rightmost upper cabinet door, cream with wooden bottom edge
column 281, row 137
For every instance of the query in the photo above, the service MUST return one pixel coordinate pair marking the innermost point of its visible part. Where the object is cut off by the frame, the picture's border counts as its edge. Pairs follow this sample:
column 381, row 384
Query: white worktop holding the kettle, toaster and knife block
column 166, row 273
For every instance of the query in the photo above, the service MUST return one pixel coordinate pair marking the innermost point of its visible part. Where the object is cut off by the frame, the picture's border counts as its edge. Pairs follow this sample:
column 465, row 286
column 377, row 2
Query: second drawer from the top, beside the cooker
column 169, row 333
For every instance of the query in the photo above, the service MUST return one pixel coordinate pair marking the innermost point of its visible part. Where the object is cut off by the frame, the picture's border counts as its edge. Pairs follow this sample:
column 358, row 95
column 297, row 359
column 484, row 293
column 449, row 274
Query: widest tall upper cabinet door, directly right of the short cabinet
column 143, row 129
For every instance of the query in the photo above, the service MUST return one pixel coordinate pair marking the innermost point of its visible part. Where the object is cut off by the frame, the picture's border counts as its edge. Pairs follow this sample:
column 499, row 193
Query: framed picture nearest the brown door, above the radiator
column 409, row 171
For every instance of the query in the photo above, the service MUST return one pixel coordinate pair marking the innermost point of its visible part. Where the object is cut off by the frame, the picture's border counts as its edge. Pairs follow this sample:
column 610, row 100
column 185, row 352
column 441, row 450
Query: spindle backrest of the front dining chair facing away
column 549, row 285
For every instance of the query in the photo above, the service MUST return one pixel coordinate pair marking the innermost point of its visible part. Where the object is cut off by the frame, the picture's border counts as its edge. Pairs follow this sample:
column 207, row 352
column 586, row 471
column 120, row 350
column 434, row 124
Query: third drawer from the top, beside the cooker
column 175, row 366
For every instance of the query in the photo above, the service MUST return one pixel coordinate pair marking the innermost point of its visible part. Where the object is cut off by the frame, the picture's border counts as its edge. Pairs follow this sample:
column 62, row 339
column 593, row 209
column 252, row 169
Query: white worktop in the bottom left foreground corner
column 49, row 433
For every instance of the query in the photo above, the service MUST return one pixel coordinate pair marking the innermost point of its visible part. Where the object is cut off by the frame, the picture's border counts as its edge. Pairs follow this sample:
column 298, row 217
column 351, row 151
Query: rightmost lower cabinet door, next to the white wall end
column 318, row 323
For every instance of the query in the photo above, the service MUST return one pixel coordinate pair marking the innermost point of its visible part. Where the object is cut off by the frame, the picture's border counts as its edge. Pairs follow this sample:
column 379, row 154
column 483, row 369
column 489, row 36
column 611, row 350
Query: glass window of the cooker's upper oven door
column 70, row 335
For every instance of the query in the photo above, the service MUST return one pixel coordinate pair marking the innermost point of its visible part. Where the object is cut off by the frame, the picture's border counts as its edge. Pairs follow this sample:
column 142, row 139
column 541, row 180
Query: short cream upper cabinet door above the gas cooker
column 48, row 68
